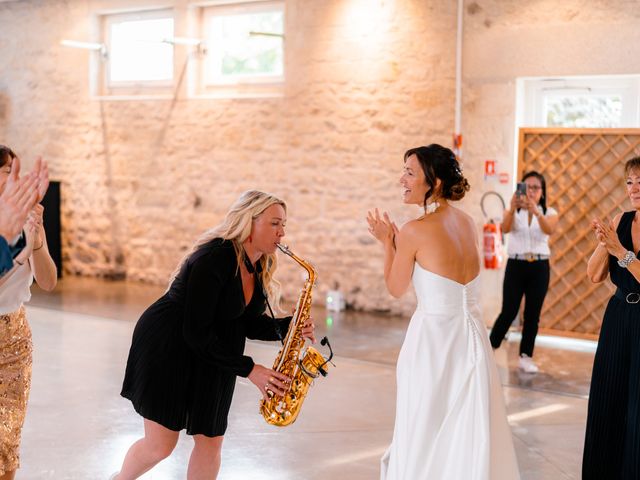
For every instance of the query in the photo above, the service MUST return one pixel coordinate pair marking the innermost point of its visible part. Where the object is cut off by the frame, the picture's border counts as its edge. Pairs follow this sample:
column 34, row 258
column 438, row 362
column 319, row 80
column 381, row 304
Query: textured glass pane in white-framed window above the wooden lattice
column 583, row 111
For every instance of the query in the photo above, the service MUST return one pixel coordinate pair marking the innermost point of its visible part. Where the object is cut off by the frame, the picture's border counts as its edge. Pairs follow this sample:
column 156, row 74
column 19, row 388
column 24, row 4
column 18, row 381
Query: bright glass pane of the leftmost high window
column 136, row 51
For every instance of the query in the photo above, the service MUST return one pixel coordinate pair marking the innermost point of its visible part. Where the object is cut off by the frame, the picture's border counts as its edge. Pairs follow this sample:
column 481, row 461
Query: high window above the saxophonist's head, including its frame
column 243, row 47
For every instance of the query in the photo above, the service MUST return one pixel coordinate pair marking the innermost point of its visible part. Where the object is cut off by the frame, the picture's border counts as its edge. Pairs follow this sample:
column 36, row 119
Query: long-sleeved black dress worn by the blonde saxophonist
column 188, row 347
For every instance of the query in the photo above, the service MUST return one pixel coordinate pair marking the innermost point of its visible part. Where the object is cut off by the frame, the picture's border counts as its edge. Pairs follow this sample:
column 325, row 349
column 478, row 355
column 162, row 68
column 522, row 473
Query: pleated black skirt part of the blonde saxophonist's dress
column 167, row 383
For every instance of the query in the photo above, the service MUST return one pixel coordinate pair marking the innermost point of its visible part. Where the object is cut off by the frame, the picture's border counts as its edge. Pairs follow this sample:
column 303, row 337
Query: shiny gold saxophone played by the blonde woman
column 301, row 369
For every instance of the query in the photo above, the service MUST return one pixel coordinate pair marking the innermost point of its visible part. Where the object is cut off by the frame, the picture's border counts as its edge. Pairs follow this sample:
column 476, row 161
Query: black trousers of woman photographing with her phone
column 530, row 279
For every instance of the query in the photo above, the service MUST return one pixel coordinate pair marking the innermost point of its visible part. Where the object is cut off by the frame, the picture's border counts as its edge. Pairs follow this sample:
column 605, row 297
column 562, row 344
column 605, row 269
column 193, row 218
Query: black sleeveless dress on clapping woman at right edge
column 612, row 442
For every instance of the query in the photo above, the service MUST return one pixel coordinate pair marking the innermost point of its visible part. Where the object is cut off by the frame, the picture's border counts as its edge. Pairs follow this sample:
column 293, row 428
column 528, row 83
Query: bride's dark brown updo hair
column 440, row 162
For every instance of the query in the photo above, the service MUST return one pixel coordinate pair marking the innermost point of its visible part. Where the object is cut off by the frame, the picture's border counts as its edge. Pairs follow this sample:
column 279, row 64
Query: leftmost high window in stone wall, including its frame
column 139, row 52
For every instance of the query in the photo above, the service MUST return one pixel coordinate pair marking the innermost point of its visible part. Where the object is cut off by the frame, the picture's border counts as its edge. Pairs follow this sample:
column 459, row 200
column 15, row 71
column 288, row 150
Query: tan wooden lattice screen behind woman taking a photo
column 584, row 173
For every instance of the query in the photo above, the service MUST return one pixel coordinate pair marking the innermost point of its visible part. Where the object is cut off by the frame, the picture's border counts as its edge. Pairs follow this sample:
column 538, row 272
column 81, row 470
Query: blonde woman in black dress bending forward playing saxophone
column 187, row 348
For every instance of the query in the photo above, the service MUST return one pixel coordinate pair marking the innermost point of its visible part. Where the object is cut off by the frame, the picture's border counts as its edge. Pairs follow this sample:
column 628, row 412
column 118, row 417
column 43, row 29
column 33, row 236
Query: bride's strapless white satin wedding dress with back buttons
column 451, row 422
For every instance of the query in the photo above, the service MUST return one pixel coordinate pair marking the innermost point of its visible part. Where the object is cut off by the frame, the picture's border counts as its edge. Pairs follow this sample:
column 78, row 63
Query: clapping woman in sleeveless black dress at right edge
column 612, row 442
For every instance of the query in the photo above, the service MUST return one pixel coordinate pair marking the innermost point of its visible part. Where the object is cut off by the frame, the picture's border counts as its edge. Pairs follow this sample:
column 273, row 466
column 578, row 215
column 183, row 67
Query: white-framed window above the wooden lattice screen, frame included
column 580, row 102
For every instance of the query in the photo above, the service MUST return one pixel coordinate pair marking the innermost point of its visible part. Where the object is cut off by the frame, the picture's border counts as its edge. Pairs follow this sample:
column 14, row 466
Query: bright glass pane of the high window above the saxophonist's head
column 245, row 45
